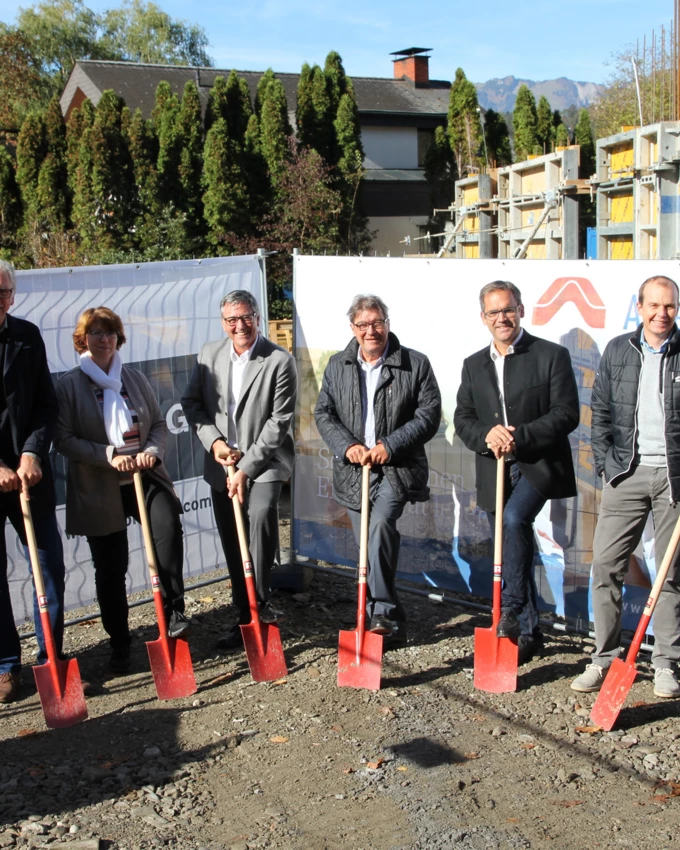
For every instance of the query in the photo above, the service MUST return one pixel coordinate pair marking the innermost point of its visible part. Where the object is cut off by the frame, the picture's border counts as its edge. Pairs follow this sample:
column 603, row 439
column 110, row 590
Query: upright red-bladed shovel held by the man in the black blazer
column 496, row 658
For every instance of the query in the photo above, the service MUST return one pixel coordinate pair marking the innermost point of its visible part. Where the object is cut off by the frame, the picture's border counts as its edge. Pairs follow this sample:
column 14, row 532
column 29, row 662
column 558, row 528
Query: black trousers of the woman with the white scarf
column 110, row 557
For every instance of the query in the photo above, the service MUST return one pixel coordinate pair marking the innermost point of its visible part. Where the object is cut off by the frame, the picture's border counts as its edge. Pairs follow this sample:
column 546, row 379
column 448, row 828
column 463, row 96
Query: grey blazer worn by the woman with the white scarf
column 93, row 503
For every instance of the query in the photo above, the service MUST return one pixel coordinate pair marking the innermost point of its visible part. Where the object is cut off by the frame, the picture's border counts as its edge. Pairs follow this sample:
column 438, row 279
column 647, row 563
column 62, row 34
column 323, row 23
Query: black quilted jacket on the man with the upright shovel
column 407, row 409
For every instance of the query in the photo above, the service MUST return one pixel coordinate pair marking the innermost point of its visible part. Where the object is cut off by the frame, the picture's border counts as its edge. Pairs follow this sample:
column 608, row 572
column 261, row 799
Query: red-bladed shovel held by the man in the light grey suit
column 262, row 641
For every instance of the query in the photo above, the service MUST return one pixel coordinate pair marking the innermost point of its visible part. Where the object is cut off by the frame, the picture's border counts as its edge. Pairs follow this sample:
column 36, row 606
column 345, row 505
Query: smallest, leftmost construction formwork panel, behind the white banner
column 475, row 216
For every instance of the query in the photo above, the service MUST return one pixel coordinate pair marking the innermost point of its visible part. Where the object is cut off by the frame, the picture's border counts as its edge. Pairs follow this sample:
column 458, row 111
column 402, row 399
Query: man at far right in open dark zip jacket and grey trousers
column 635, row 443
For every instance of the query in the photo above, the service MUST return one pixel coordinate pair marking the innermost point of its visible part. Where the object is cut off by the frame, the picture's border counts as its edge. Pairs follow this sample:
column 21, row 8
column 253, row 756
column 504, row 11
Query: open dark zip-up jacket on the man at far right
column 615, row 399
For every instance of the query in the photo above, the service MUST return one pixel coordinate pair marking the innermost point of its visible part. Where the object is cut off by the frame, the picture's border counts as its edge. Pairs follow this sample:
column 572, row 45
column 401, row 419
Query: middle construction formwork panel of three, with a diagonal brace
column 538, row 207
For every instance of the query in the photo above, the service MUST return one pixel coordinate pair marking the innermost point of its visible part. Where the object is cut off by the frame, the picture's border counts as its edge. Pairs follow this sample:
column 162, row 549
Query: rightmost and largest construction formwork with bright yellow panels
column 637, row 193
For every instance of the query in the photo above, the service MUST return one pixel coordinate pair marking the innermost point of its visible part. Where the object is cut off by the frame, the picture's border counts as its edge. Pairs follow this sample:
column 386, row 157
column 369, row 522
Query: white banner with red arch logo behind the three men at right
column 434, row 308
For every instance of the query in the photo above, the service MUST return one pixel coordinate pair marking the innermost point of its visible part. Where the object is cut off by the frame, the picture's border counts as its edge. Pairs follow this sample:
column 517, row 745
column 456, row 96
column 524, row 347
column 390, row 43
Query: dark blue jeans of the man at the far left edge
column 51, row 554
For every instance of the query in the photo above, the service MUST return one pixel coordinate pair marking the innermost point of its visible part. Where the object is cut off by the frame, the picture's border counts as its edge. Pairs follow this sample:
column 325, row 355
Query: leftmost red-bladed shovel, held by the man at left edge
column 58, row 682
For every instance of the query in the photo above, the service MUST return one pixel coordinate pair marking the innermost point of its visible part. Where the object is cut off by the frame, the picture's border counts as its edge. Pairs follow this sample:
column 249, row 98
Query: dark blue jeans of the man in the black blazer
column 522, row 505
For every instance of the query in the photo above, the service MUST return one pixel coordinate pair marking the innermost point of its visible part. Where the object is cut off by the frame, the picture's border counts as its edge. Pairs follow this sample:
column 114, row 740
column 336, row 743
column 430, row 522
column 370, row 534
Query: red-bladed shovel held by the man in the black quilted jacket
column 360, row 652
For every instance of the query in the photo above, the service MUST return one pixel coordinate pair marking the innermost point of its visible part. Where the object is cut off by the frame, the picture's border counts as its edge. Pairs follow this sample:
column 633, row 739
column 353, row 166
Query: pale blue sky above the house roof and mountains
column 524, row 38
